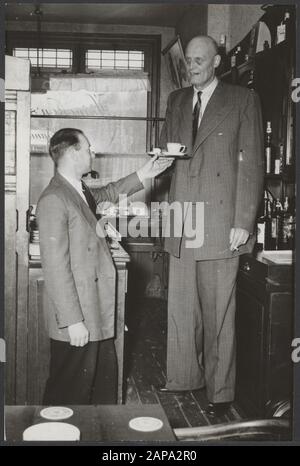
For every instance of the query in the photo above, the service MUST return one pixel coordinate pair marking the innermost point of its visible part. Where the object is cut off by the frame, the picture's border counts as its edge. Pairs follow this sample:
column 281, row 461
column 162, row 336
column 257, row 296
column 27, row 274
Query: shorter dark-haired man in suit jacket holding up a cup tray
column 79, row 291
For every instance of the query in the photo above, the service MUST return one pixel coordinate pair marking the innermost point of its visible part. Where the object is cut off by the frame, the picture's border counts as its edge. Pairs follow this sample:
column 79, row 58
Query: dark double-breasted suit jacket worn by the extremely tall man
column 226, row 168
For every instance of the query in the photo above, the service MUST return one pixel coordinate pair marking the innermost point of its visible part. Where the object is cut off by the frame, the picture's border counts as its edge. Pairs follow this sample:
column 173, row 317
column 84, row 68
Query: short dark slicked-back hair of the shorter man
column 62, row 140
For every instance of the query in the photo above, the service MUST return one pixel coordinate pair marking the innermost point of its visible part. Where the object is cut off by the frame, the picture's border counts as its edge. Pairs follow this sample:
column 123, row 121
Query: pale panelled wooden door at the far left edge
column 17, row 149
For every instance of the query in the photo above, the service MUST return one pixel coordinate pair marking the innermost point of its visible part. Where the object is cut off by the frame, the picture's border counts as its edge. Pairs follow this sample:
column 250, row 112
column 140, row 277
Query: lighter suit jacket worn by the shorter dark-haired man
column 78, row 269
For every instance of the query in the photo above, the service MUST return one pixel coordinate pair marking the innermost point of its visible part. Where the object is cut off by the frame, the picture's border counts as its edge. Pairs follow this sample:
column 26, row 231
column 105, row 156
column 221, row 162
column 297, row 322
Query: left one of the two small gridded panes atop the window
column 46, row 58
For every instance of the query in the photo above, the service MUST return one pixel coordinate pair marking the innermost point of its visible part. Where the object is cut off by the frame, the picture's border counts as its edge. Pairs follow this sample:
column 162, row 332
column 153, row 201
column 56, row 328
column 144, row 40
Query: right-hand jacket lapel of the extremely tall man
column 216, row 110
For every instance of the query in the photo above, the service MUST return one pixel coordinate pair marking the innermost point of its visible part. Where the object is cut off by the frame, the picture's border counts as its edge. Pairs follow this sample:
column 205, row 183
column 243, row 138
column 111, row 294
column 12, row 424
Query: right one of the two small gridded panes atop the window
column 114, row 60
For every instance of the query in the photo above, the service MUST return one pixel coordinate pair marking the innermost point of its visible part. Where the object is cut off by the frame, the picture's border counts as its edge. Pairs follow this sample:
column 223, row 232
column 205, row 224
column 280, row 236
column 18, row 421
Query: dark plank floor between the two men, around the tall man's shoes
column 145, row 367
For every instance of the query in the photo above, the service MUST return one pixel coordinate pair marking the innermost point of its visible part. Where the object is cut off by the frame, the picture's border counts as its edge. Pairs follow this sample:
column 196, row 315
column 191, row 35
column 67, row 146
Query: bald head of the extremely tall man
column 201, row 61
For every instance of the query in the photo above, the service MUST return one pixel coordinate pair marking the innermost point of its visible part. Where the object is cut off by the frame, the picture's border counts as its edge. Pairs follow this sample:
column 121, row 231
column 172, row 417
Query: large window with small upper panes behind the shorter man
column 105, row 84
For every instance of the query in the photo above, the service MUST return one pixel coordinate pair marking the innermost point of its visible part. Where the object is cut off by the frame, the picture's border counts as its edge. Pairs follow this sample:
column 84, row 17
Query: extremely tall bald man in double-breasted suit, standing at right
column 221, row 126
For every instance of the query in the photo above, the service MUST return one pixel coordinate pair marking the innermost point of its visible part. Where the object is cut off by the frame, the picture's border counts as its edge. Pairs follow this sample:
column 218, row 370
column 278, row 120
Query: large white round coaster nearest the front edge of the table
column 51, row 431
